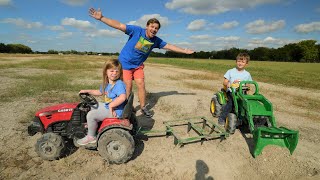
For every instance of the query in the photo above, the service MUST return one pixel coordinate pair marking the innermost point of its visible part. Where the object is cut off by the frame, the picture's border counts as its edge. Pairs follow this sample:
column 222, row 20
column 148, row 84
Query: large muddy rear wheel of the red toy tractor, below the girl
column 116, row 146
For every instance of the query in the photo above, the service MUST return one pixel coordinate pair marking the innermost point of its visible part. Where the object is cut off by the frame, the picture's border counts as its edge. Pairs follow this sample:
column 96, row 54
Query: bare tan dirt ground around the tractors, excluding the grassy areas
column 172, row 98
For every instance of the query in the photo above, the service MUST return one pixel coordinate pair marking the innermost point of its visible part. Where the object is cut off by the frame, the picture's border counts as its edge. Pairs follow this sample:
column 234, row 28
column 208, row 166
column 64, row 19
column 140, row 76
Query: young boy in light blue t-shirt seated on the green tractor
column 234, row 75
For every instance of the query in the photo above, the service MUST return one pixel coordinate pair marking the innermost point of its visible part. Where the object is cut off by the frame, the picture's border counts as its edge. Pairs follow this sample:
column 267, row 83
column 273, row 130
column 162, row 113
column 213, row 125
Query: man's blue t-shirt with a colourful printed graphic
column 138, row 47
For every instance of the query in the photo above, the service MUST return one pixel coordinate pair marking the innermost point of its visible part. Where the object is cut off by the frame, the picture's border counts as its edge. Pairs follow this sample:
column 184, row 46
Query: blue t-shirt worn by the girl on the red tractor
column 112, row 92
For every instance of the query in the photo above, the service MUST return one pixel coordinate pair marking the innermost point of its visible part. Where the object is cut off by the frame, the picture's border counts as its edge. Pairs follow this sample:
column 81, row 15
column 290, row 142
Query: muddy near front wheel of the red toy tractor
column 50, row 146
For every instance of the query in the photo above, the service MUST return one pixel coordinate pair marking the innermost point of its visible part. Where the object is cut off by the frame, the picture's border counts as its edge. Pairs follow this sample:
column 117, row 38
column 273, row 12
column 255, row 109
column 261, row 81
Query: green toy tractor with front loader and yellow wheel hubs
column 255, row 112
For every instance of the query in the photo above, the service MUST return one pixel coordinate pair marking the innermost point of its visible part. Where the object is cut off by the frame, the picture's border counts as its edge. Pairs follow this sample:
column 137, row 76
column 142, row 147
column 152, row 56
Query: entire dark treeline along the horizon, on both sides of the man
column 303, row 51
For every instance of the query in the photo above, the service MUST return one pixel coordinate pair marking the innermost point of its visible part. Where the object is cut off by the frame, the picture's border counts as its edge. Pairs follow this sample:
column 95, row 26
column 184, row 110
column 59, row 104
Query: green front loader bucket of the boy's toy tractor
column 281, row 136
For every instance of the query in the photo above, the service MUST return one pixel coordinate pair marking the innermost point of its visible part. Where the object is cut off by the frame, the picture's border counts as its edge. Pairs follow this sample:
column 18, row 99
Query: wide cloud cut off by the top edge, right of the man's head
column 214, row 6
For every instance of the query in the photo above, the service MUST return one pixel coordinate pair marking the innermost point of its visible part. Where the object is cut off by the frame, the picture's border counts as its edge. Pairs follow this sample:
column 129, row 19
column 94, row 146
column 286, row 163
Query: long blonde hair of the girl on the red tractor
column 110, row 64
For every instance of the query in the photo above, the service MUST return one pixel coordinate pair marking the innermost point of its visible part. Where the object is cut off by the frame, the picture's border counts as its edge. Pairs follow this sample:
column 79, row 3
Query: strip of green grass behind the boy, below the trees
column 302, row 75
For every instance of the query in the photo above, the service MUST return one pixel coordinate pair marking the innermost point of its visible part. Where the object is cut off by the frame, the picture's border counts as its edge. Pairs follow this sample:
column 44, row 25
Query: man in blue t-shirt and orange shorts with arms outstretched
column 136, row 51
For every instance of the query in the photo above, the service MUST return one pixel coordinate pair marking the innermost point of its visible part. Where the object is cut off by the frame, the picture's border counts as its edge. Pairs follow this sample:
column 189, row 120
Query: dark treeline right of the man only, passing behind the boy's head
column 303, row 51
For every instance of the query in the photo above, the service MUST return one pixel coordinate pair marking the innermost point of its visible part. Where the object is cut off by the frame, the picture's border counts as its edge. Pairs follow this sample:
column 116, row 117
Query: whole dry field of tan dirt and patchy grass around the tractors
column 31, row 82
